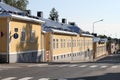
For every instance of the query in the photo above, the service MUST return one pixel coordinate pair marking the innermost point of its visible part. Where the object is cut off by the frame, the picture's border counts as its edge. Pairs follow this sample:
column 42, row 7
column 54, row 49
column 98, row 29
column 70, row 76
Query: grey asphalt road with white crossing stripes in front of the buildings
column 107, row 68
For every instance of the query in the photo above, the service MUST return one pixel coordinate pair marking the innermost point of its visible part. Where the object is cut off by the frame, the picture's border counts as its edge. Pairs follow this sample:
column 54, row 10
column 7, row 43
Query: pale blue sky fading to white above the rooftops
column 84, row 13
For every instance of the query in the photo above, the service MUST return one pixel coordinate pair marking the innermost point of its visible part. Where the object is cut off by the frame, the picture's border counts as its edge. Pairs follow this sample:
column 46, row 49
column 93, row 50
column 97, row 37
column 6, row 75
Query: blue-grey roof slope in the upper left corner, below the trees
column 6, row 7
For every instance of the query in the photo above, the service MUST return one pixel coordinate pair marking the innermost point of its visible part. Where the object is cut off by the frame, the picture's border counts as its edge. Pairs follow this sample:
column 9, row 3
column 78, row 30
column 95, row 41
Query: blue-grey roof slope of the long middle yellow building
column 49, row 24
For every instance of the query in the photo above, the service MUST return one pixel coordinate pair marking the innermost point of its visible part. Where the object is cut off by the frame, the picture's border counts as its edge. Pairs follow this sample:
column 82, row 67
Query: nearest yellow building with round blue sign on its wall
column 20, row 38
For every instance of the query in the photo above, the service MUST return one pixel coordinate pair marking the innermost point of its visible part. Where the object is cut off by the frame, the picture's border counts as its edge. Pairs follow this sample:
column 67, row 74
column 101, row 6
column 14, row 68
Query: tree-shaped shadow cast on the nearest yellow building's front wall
column 27, row 51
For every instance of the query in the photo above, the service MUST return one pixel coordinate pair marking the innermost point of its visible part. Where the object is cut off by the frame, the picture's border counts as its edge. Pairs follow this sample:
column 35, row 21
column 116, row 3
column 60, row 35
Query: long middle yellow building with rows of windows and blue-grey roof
column 63, row 45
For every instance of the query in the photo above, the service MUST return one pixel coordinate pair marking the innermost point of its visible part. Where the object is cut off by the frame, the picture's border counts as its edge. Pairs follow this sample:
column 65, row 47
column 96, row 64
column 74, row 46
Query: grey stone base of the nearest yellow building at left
column 24, row 57
